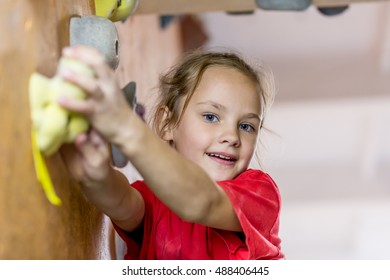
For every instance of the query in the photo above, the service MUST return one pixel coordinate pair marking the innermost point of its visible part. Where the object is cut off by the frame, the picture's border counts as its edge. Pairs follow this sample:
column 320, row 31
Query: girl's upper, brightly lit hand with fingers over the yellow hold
column 105, row 106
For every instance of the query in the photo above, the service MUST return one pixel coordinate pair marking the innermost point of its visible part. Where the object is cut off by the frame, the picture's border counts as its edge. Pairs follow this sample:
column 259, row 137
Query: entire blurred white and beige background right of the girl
column 330, row 147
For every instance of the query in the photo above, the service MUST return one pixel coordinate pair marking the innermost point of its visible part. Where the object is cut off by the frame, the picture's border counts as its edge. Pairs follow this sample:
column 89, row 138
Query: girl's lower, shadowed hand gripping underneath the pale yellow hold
column 88, row 159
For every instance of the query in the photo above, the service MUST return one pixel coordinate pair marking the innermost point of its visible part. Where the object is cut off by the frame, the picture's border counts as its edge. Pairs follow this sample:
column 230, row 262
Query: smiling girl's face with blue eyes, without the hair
column 219, row 128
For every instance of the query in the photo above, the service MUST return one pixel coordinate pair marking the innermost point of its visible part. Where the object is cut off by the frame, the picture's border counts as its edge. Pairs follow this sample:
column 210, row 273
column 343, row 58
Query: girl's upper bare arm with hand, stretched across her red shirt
column 182, row 185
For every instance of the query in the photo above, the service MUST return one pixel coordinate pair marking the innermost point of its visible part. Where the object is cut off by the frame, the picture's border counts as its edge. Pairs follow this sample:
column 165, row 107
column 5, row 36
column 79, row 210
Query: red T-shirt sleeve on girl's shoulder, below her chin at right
column 256, row 201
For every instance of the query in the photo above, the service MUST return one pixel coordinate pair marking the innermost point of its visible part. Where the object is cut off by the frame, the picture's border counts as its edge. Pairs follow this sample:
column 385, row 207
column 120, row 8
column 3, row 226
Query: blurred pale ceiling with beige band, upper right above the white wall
column 313, row 56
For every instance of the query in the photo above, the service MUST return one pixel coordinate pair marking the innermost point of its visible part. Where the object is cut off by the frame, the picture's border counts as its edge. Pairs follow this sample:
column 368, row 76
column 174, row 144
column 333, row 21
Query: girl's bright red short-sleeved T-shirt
column 163, row 235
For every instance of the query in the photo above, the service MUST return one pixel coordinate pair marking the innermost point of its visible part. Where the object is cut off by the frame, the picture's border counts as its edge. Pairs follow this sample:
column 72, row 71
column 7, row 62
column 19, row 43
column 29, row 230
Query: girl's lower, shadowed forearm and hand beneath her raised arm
column 88, row 161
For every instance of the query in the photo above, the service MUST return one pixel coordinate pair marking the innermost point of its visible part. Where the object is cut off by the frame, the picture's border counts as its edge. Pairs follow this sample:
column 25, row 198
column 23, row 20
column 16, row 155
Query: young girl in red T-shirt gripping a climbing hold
column 198, row 199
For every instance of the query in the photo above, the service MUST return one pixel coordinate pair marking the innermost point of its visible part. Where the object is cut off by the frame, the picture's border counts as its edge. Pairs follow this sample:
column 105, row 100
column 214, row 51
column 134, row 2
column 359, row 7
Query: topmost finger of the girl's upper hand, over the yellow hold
column 92, row 57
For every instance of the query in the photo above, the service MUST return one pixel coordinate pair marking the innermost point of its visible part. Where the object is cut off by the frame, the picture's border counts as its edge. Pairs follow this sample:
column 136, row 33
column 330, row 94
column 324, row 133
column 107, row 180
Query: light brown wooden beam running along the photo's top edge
column 170, row 7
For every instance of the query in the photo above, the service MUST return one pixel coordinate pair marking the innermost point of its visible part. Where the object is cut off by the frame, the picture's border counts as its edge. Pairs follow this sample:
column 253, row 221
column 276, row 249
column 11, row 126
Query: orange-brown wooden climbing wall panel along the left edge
column 33, row 34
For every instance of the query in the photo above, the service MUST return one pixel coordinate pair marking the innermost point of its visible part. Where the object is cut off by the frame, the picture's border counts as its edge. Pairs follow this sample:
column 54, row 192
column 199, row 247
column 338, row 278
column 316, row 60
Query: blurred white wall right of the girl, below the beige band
column 331, row 161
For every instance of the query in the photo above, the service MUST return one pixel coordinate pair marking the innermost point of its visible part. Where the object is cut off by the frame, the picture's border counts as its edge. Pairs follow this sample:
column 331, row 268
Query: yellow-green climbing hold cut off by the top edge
column 115, row 10
